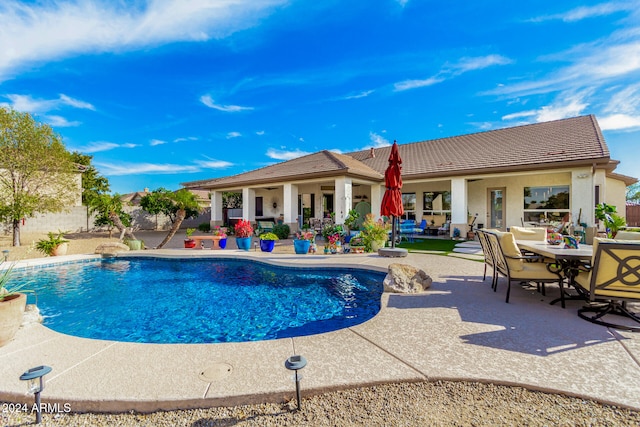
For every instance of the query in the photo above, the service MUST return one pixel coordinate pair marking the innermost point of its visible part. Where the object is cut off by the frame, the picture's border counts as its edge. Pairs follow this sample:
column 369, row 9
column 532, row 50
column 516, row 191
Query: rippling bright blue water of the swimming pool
column 154, row 300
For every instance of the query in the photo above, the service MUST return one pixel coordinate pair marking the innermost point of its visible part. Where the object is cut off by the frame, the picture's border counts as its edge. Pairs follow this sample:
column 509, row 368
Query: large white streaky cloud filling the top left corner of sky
column 37, row 32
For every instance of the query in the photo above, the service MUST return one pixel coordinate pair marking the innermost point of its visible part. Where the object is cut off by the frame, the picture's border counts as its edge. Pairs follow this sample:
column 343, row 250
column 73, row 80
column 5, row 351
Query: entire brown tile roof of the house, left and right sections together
column 537, row 146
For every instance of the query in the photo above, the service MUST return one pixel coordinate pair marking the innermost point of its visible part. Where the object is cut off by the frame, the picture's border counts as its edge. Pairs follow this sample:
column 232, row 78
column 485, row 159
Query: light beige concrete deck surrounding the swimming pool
column 458, row 330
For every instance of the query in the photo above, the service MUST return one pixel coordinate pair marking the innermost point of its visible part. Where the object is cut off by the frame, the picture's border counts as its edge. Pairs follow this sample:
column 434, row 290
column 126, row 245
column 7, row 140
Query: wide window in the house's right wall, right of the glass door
column 546, row 204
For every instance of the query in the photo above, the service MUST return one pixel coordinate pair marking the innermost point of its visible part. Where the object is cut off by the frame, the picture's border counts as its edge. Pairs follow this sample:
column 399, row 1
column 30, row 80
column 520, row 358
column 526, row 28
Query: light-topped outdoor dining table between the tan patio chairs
column 567, row 262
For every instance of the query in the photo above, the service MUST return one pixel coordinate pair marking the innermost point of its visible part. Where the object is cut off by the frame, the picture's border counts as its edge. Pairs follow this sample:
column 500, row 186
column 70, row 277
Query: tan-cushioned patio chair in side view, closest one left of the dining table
column 510, row 263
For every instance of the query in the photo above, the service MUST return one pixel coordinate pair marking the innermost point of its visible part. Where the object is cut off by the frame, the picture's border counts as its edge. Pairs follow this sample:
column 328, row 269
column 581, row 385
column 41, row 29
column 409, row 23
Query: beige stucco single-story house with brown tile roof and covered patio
column 533, row 174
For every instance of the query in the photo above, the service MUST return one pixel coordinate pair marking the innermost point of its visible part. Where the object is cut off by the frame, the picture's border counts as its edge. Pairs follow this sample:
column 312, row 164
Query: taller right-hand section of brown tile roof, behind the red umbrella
column 532, row 146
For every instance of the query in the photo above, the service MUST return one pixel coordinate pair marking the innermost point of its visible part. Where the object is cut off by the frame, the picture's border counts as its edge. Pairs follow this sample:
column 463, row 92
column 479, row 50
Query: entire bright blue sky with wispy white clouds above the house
column 162, row 92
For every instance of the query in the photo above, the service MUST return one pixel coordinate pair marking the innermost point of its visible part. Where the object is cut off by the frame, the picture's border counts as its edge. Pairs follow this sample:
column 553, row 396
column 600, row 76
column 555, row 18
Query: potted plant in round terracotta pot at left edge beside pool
column 12, row 304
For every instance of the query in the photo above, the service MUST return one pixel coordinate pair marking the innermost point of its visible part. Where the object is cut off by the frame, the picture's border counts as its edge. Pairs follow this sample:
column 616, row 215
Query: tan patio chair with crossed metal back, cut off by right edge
column 612, row 281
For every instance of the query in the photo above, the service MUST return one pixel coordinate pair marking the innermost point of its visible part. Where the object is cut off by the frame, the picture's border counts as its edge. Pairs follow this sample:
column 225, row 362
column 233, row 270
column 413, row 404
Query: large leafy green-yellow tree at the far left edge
column 36, row 171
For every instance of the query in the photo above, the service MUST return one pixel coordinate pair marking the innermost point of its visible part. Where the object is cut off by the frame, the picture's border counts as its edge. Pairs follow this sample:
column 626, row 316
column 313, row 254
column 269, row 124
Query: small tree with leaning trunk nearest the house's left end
column 176, row 205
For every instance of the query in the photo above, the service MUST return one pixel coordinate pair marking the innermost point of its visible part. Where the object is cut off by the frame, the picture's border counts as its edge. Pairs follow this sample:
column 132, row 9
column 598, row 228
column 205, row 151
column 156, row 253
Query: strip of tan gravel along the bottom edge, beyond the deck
column 404, row 404
